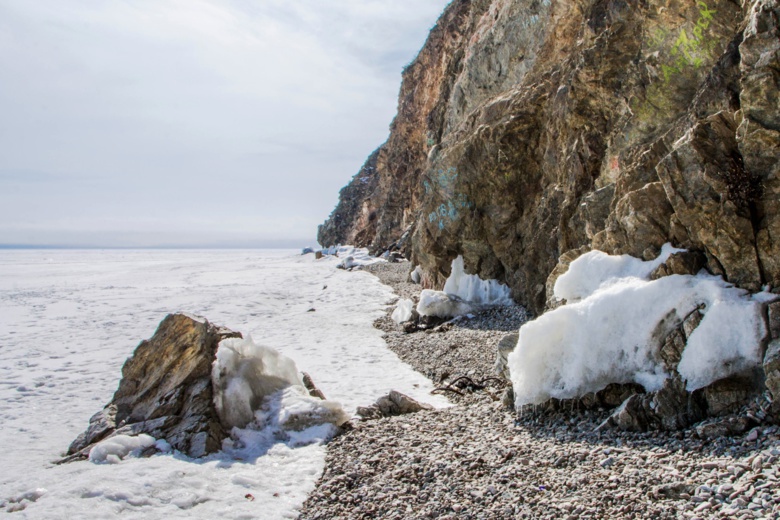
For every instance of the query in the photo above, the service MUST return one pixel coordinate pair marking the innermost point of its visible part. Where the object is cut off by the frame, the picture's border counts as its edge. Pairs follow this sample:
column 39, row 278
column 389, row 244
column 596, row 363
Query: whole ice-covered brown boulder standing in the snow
column 189, row 385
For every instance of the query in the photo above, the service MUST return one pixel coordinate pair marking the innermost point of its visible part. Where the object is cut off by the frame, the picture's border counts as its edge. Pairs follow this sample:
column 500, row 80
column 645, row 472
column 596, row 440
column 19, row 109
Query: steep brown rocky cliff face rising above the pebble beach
column 529, row 131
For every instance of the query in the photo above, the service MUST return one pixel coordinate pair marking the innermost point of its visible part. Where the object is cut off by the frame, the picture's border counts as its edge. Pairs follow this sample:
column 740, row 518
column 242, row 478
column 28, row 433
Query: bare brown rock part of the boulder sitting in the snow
column 166, row 390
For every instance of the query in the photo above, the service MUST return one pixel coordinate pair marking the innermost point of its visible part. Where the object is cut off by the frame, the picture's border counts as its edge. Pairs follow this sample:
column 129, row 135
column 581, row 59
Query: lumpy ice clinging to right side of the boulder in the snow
column 248, row 377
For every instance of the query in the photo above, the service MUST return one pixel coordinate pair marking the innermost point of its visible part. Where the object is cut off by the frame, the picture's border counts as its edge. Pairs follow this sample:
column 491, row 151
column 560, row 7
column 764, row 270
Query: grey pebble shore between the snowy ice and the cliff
column 479, row 460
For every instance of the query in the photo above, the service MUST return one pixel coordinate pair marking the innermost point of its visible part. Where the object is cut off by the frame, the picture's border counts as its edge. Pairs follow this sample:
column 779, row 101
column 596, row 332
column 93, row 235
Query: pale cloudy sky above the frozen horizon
column 192, row 123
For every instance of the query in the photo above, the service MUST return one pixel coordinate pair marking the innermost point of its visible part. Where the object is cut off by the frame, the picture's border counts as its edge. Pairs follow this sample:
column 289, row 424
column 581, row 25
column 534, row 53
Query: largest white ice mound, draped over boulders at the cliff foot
column 611, row 329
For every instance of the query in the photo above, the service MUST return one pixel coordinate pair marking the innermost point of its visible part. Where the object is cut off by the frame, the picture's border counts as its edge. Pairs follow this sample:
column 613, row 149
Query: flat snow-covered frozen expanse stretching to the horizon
column 68, row 321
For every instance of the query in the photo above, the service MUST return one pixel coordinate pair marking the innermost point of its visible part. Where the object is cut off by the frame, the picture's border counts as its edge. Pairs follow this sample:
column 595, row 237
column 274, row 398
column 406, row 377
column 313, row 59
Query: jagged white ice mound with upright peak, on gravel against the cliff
column 462, row 294
